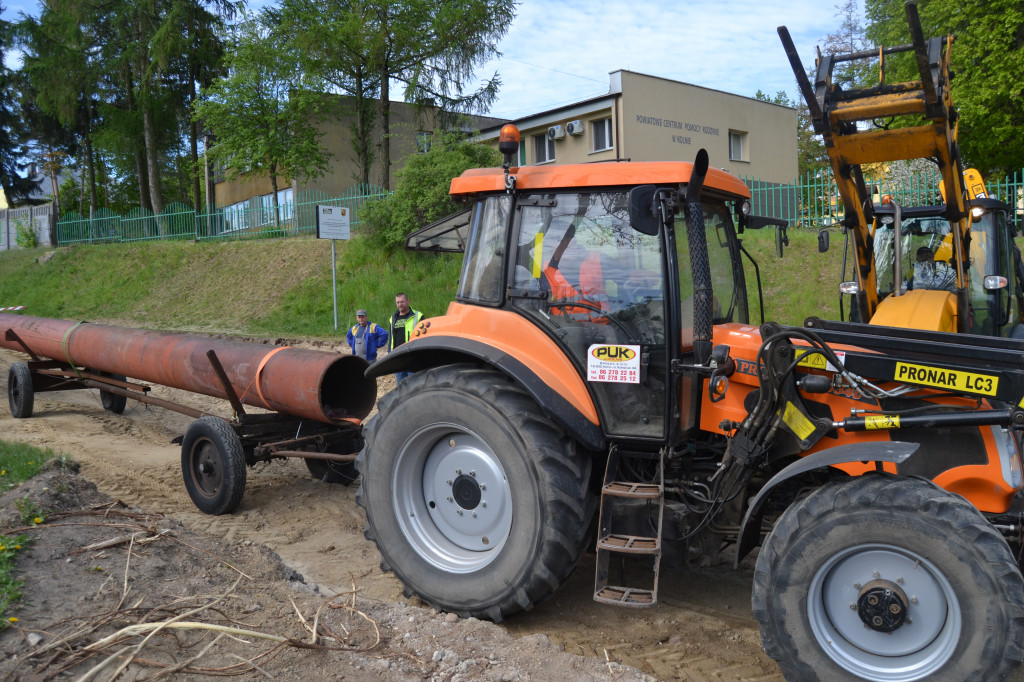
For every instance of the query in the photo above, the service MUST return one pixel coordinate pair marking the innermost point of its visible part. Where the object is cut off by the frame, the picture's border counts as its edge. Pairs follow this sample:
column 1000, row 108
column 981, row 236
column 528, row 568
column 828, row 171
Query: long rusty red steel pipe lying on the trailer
column 311, row 385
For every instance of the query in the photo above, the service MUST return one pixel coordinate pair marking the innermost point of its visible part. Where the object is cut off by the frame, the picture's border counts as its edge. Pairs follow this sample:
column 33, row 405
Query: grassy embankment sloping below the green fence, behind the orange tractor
column 282, row 288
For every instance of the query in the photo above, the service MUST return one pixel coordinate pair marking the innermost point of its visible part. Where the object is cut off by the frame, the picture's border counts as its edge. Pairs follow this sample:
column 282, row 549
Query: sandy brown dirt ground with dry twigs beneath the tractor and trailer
column 702, row 630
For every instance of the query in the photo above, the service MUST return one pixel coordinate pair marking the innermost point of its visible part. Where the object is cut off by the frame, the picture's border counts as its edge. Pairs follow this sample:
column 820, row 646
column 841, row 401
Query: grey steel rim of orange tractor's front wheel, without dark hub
column 917, row 650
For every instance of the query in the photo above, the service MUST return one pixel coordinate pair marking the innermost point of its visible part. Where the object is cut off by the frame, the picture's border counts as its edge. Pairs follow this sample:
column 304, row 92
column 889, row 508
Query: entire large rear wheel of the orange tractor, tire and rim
column 476, row 499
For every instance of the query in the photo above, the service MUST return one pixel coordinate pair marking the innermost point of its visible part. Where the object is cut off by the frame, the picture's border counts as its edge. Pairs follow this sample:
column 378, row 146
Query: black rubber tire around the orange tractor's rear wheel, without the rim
column 527, row 572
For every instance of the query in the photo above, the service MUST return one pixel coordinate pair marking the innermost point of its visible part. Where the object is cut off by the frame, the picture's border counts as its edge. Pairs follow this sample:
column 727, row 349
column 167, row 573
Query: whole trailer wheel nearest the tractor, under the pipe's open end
column 214, row 465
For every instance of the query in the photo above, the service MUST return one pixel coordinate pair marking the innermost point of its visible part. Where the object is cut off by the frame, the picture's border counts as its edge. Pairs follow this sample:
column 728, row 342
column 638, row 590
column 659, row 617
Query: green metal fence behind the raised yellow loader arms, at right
column 814, row 200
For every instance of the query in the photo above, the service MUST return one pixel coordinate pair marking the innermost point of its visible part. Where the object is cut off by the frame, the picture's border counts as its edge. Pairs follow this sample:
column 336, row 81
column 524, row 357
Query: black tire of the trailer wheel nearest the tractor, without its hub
column 232, row 461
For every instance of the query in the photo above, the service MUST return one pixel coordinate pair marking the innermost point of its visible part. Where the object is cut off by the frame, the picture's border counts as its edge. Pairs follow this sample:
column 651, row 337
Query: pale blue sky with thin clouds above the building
column 561, row 53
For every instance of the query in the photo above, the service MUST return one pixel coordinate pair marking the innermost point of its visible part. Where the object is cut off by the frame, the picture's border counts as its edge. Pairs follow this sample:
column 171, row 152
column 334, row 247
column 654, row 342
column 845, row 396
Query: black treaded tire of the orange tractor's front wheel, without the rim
column 913, row 514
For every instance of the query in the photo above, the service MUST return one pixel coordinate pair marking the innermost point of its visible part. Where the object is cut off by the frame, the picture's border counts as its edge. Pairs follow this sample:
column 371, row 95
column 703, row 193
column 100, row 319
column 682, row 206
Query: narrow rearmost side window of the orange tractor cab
column 482, row 272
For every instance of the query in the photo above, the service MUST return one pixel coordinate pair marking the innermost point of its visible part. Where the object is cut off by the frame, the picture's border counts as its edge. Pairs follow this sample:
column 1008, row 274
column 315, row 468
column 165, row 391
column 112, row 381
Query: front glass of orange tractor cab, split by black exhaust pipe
column 729, row 302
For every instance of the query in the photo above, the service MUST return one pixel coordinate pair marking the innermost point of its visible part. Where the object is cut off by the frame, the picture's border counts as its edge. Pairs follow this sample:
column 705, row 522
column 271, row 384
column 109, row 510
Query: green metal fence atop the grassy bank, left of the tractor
column 254, row 219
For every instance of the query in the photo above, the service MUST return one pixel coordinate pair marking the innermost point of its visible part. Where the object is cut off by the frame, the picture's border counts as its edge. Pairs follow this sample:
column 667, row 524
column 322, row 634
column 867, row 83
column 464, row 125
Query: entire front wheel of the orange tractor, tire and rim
column 888, row 579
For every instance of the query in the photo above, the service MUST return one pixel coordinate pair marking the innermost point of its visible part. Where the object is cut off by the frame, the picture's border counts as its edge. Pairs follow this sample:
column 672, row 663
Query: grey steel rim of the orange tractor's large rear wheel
column 441, row 472
